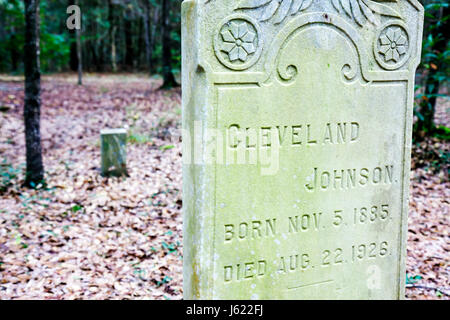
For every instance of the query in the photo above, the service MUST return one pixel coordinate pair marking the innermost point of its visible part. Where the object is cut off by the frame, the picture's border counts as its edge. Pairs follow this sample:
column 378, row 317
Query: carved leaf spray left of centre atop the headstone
column 279, row 9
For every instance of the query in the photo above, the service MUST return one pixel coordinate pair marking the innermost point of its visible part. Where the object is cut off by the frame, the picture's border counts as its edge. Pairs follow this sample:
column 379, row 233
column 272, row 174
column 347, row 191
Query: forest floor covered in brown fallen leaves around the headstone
column 88, row 237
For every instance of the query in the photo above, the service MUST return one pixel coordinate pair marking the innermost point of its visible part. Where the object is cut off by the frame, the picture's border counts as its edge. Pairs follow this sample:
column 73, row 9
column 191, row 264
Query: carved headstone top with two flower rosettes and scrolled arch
column 243, row 37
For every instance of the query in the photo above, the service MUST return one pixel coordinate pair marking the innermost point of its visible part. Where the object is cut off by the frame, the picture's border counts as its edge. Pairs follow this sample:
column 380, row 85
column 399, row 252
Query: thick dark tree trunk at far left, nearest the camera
column 32, row 108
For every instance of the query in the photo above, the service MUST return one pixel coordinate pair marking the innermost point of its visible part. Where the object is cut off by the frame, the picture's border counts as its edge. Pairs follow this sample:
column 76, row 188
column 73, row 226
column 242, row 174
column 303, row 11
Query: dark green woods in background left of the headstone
column 99, row 18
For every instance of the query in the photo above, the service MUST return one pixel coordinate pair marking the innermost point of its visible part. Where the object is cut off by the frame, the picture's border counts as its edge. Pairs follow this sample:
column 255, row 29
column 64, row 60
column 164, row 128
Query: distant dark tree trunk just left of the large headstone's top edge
column 169, row 79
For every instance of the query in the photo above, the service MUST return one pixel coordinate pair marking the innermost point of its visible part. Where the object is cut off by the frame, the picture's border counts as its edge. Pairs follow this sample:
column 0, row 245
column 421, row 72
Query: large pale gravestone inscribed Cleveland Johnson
column 297, row 131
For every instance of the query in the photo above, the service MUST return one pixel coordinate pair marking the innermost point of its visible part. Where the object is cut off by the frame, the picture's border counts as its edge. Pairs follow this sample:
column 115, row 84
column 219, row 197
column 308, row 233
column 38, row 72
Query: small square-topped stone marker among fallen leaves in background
column 114, row 152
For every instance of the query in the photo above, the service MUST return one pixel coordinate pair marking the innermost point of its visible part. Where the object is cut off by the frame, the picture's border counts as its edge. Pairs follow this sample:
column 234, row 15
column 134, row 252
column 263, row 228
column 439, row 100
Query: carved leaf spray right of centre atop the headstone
column 365, row 10
